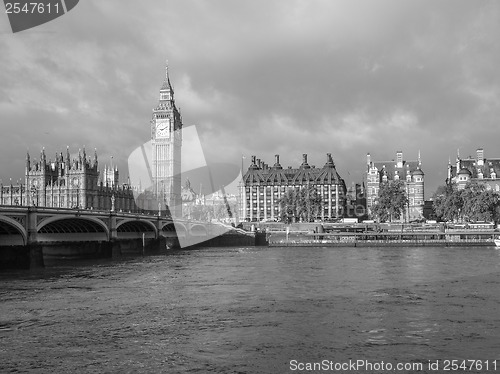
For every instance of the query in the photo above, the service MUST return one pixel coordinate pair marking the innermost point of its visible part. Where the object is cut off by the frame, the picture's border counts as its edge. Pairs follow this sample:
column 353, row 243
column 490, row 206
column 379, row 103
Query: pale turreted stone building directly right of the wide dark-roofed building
column 409, row 172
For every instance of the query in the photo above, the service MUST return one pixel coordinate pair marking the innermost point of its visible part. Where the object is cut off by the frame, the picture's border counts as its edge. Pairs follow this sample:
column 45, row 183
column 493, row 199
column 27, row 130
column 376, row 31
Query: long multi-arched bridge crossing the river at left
column 37, row 236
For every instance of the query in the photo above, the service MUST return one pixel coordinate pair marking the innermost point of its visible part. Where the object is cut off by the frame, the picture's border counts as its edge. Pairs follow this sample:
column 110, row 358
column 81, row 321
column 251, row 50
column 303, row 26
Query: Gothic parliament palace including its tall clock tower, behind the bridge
column 76, row 182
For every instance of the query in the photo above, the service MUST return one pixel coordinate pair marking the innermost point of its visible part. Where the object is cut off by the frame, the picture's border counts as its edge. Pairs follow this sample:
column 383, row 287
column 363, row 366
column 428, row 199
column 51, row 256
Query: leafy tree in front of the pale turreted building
column 391, row 201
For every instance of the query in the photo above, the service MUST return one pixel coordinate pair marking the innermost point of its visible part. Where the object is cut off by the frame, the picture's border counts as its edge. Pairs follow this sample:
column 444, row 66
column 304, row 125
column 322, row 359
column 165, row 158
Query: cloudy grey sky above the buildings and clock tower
column 259, row 77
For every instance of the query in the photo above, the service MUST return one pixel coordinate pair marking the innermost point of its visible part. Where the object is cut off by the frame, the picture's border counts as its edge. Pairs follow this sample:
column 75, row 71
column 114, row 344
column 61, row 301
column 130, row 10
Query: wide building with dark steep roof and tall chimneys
column 264, row 185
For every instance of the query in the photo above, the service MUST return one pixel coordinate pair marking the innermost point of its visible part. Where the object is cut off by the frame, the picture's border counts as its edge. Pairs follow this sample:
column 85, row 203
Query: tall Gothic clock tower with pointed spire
column 166, row 140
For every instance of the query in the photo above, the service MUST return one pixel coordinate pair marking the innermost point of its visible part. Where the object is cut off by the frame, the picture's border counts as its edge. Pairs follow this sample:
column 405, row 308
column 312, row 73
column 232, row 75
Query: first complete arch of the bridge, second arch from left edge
column 64, row 228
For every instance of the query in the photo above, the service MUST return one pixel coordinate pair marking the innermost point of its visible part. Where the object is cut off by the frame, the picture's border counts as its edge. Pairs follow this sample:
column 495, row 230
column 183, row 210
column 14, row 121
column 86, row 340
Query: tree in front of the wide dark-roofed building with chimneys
column 302, row 204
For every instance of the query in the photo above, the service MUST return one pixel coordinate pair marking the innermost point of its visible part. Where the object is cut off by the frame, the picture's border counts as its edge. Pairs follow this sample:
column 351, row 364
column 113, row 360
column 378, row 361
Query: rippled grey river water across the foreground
column 253, row 310
